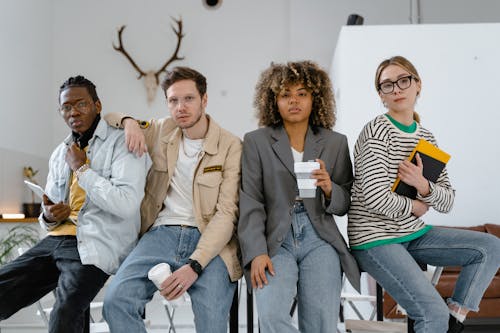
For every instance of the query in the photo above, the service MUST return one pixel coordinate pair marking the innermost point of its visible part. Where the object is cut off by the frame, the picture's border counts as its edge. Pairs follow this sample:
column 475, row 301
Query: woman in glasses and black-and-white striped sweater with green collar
column 386, row 231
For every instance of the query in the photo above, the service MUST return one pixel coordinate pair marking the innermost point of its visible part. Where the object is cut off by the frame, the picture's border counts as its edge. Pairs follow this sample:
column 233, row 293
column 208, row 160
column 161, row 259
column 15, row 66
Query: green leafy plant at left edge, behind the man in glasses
column 20, row 235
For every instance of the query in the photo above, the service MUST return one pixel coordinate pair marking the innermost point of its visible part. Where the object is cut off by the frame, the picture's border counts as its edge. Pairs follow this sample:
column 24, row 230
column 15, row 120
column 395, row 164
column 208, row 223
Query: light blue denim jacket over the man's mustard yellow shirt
column 109, row 220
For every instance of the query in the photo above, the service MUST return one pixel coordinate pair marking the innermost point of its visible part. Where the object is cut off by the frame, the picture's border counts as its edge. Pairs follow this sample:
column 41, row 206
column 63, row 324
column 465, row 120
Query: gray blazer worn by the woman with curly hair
column 269, row 187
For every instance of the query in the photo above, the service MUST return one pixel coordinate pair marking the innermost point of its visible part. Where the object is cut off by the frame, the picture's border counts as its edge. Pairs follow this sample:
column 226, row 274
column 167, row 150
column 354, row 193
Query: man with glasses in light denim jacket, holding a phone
column 90, row 212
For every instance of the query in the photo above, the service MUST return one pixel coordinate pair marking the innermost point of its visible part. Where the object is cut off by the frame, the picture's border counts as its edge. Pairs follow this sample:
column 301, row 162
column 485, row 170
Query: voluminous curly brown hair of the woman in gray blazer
column 278, row 76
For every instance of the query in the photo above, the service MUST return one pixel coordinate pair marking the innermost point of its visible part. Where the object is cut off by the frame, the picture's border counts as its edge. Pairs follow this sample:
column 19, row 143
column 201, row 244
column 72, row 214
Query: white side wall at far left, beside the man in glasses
column 25, row 88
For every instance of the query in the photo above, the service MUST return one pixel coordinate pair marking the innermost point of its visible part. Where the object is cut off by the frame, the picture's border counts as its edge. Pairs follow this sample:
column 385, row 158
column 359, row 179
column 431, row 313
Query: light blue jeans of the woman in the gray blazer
column 308, row 267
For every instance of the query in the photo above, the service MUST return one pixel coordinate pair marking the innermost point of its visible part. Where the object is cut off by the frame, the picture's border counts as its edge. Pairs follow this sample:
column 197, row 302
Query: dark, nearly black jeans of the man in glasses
column 53, row 263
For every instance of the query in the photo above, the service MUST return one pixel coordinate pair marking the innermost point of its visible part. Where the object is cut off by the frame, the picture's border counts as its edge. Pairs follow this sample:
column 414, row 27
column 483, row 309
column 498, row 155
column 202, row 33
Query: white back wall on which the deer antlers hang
column 231, row 45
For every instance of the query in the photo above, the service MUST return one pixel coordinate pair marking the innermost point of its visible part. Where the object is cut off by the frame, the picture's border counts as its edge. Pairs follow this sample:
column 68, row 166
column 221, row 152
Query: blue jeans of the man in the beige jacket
column 130, row 290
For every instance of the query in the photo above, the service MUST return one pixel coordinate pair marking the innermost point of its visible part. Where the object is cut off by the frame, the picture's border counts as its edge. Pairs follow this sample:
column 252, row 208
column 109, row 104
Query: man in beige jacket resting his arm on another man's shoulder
column 189, row 211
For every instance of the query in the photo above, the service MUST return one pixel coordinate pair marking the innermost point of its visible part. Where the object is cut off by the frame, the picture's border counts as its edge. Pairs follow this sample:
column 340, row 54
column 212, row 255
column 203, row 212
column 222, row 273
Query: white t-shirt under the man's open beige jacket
column 178, row 208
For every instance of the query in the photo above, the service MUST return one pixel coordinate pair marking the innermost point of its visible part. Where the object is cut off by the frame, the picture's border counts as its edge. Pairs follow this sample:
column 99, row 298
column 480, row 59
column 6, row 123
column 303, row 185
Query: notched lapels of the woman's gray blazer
column 312, row 147
